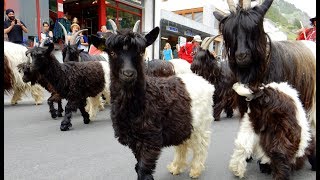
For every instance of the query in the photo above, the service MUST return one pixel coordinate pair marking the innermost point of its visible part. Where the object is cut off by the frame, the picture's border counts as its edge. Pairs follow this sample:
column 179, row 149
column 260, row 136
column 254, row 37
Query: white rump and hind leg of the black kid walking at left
column 94, row 104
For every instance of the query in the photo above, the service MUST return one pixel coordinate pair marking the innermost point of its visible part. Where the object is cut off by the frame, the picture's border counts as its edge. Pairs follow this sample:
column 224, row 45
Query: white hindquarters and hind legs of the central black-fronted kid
column 201, row 93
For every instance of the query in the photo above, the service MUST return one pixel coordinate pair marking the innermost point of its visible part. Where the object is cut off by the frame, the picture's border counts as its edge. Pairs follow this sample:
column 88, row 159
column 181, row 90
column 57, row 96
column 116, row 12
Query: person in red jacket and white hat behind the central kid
column 188, row 50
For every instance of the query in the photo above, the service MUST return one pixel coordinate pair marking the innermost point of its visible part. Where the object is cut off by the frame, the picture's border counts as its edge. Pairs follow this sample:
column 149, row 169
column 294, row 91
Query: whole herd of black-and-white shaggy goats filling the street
column 157, row 104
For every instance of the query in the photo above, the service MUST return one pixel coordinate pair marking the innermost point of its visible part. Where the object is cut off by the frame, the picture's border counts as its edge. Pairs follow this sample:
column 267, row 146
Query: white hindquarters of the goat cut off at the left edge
column 16, row 55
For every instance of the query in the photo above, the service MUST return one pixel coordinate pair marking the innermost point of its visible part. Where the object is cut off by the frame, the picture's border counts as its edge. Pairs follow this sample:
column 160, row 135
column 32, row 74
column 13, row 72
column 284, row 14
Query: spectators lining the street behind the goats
column 14, row 29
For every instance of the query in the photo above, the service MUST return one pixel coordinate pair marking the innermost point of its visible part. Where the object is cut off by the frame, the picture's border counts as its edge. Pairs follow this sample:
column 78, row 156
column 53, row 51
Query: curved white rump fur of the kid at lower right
column 300, row 114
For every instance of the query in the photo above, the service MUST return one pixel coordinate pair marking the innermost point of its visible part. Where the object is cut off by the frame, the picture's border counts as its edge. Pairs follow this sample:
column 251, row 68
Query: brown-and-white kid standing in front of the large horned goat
column 275, row 130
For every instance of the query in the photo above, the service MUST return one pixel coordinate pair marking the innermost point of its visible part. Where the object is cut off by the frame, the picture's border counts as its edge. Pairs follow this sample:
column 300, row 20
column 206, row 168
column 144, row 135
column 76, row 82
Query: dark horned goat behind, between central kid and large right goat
column 219, row 74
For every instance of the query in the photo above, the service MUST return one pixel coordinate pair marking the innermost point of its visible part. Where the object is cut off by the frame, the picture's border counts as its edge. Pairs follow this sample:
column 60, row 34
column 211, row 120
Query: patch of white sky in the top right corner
column 308, row 6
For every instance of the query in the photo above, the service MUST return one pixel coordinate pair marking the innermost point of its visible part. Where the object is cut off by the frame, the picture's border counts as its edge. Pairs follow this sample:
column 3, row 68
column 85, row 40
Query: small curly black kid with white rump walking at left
column 74, row 81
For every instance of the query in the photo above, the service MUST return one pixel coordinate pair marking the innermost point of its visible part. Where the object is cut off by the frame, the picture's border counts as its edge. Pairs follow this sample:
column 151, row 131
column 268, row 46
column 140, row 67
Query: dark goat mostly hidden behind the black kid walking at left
column 35, row 77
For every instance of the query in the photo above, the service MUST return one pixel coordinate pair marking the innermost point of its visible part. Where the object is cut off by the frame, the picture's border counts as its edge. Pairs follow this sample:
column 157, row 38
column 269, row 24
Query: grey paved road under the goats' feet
column 35, row 148
